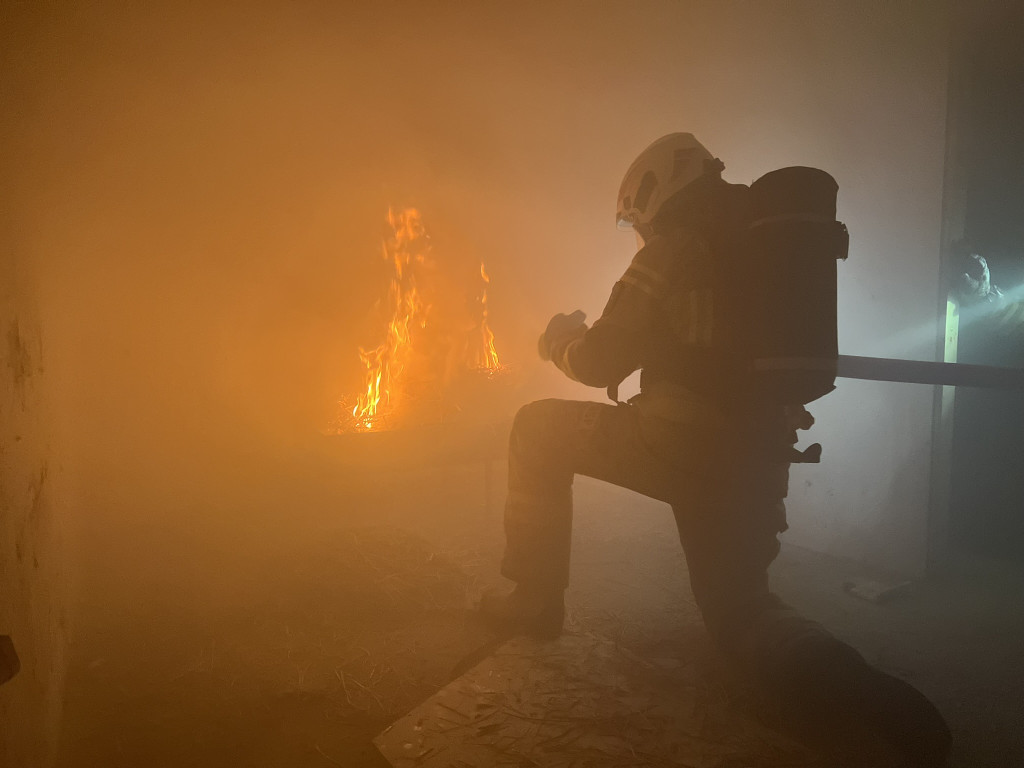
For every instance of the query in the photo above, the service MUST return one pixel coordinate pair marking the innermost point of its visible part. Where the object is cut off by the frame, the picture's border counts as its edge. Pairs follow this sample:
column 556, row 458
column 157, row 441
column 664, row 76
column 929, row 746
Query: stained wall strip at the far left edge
column 32, row 564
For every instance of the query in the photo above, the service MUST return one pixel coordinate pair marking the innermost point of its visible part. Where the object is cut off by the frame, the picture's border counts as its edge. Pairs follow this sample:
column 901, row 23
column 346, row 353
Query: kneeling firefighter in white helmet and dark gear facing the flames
column 721, row 462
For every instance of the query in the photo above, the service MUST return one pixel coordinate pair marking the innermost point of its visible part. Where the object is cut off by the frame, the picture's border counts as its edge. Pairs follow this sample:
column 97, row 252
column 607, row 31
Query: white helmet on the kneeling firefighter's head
column 662, row 170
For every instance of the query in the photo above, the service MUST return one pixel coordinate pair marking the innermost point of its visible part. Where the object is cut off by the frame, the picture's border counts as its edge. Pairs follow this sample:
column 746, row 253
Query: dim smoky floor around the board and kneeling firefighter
column 290, row 631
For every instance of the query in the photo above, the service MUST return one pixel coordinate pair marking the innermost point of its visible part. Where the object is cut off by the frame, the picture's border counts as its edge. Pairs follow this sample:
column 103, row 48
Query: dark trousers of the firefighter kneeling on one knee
column 728, row 504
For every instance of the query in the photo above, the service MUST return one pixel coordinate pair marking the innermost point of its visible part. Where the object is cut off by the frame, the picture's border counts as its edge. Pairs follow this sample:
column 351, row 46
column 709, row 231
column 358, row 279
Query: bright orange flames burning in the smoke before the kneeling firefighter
column 438, row 330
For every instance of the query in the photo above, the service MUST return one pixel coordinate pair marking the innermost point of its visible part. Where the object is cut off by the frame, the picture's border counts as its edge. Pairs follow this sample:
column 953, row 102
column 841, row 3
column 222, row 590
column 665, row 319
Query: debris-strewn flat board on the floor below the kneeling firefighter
column 586, row 703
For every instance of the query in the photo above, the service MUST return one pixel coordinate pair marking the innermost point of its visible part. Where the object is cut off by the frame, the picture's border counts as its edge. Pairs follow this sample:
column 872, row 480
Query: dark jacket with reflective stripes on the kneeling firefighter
column 659, row 320
